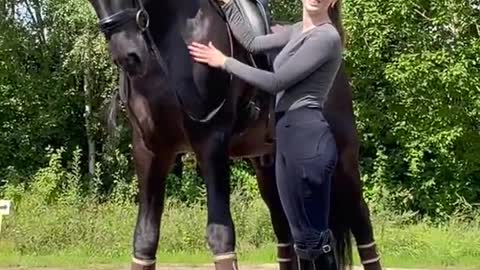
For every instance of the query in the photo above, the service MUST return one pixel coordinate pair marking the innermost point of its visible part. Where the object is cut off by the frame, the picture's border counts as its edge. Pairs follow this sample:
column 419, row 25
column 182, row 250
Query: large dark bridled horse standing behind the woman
column 175, row 105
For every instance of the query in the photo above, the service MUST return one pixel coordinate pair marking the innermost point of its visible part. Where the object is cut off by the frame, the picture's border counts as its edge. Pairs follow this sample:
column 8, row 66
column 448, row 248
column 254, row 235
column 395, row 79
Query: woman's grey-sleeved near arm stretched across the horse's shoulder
column 318, row 49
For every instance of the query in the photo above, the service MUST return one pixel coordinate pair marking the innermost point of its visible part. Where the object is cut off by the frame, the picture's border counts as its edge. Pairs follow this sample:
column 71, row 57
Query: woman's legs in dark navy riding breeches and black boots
column 310, row 155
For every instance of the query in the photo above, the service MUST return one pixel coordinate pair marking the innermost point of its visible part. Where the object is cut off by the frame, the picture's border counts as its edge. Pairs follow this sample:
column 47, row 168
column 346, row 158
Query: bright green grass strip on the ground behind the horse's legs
column 64, row 235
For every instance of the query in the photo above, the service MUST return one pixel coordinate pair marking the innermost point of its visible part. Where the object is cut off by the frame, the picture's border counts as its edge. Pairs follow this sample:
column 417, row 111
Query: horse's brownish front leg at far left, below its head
column 152, row 170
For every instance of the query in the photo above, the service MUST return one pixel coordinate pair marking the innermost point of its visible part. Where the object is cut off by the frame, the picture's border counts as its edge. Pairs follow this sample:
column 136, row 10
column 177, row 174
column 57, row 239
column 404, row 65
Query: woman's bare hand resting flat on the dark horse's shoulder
column 207, row 54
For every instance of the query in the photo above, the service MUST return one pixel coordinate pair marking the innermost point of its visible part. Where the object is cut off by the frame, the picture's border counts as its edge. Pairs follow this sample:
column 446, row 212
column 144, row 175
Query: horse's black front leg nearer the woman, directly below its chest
column 213, row 158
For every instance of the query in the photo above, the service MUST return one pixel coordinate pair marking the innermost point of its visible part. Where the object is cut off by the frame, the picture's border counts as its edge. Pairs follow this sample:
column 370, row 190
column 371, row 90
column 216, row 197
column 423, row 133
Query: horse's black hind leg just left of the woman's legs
column 268, row 190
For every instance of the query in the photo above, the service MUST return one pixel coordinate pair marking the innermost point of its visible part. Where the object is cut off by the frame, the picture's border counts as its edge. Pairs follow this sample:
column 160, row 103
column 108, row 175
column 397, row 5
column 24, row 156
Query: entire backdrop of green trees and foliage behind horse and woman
column 414, row 66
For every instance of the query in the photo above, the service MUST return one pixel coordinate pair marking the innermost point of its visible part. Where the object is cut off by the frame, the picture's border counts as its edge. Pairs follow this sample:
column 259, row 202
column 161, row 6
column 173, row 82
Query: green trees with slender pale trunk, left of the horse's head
column 56, row 78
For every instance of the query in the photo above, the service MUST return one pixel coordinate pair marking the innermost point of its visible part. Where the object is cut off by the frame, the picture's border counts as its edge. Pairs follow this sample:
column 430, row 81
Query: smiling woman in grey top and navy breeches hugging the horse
column 304, row 72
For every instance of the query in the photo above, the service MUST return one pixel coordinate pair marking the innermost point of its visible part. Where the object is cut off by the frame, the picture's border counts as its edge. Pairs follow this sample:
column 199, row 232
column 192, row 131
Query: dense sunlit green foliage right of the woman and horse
column 415, row 67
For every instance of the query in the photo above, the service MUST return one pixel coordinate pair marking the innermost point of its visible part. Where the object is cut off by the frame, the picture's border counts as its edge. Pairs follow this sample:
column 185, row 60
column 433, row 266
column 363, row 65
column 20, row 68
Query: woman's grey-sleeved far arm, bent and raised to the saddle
column 244, row 35
